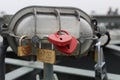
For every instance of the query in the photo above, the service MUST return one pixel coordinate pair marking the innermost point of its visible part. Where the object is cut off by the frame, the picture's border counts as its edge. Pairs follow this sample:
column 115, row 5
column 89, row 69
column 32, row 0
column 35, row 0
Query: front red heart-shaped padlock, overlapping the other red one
column 60, row 38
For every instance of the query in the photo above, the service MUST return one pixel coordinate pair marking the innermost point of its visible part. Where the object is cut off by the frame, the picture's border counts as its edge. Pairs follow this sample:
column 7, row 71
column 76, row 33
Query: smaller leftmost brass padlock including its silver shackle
column 24, row 50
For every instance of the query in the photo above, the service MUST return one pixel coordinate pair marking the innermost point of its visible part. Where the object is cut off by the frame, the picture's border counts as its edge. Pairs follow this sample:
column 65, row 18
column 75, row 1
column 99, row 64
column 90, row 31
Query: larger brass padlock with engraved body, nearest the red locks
column 46, row 55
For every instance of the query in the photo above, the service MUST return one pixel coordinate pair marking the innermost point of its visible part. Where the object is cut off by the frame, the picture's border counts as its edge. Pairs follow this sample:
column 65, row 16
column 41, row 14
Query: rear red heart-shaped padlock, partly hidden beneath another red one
column 68, row 49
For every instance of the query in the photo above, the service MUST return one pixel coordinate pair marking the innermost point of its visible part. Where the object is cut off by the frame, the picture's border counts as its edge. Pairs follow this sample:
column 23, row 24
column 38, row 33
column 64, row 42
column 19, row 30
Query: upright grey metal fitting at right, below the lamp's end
column 100, row 67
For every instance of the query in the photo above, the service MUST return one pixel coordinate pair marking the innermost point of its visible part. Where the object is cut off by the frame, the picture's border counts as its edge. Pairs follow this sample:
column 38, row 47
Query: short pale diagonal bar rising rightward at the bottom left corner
column 18, row 73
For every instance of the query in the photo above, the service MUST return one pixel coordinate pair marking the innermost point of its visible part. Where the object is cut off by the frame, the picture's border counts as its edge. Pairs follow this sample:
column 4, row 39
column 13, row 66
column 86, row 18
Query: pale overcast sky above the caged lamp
column 99, row 6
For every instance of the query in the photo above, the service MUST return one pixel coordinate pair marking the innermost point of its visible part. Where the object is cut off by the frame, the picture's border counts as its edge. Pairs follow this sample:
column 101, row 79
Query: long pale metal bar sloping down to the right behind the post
column 61, row 69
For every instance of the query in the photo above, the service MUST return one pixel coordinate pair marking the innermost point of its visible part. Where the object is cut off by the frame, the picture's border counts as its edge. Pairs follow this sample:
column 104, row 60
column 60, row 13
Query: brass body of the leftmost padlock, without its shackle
column 24, row 50
